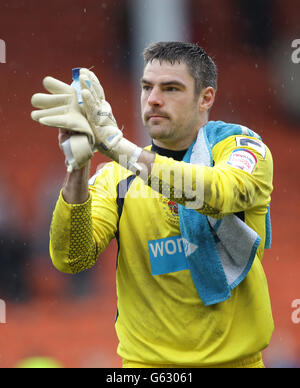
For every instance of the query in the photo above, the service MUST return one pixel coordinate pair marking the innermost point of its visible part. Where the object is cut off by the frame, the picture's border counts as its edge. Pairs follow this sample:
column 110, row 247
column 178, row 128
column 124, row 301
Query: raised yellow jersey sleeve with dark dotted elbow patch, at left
column 79, row 233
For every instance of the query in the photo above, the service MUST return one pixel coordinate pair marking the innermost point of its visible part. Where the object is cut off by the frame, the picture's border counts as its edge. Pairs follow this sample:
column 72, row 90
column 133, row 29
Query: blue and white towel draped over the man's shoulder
column 218, row 261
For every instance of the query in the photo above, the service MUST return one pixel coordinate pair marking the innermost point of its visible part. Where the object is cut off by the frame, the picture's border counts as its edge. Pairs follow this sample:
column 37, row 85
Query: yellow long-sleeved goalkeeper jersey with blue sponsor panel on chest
column 161, row 318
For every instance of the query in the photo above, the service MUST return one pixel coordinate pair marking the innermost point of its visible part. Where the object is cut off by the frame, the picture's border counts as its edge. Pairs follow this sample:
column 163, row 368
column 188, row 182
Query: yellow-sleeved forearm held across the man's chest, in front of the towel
column 210, row 190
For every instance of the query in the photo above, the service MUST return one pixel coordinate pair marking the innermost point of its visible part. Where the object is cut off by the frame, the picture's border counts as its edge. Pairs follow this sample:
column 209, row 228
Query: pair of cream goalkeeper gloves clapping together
column 101, row 132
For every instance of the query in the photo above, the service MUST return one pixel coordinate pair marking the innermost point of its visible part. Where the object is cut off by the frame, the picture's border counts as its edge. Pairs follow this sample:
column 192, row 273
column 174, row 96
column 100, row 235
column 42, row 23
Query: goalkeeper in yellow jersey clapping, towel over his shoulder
column 190, row 214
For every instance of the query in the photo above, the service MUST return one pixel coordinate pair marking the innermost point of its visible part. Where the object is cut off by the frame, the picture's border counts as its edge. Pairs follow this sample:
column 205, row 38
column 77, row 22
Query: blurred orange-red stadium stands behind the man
column 73, row 320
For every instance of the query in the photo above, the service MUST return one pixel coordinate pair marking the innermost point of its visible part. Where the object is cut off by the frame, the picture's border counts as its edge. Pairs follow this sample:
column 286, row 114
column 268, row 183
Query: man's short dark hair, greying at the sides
column 201, row 66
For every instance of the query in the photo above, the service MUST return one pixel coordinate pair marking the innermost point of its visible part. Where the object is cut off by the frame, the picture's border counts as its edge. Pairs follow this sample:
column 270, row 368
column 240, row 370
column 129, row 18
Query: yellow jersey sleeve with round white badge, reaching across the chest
column 240, row 179
